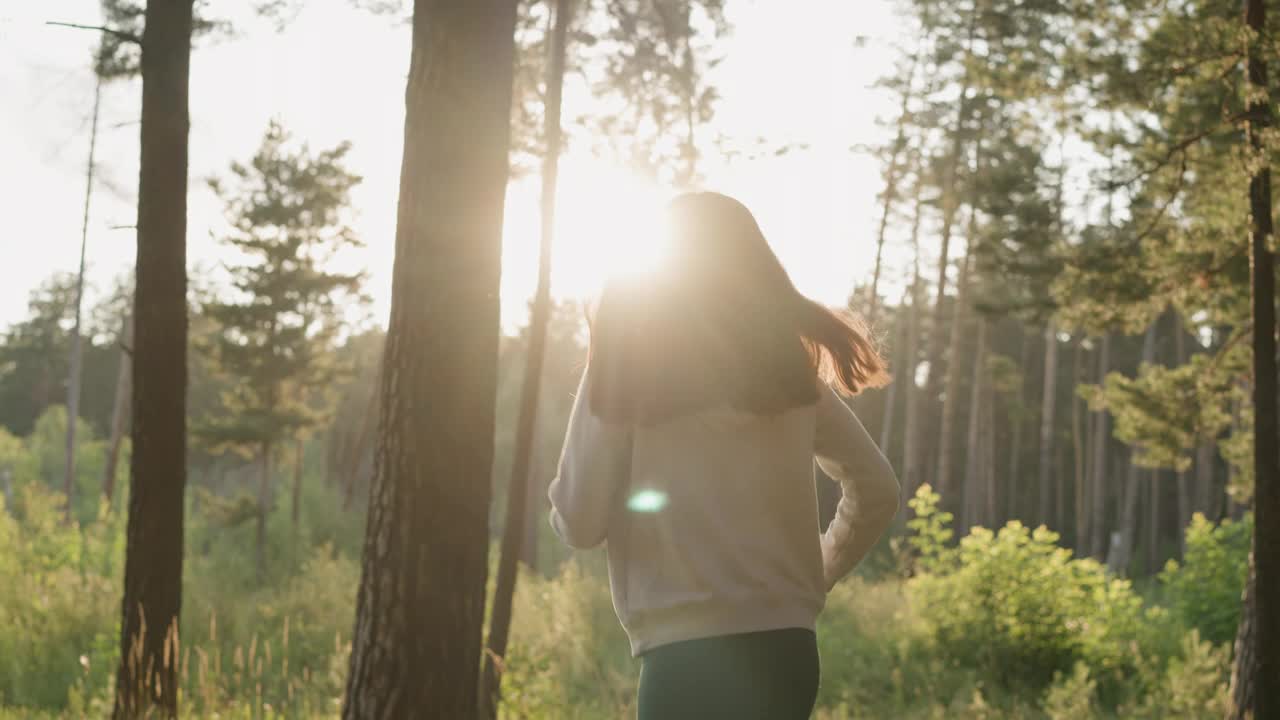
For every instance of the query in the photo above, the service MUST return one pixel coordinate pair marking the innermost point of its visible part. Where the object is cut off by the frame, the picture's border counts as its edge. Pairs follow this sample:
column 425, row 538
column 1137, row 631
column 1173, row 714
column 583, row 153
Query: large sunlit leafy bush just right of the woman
column 1018, row 608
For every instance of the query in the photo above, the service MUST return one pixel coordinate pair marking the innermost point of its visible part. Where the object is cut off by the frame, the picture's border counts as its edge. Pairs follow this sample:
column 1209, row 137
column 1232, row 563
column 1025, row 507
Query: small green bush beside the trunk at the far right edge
column 1204, row 593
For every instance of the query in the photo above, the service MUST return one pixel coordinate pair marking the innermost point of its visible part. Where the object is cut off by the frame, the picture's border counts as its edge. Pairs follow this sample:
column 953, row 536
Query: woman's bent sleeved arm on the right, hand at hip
column 870, row 490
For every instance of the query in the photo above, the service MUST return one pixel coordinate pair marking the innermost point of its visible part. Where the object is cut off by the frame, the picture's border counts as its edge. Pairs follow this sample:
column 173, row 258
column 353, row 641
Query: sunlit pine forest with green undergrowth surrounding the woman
column 252, row 489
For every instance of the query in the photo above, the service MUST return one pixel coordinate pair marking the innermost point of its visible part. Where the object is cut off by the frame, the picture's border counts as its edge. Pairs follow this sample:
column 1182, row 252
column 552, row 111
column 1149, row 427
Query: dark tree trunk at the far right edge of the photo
column 1265, row 569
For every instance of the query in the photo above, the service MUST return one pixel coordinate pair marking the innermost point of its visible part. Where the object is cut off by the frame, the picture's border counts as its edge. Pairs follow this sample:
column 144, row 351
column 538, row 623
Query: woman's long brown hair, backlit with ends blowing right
column 721, row 323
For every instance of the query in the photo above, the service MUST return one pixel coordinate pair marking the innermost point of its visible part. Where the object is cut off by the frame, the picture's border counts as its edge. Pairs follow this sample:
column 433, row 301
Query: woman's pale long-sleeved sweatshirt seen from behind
column 712, row 520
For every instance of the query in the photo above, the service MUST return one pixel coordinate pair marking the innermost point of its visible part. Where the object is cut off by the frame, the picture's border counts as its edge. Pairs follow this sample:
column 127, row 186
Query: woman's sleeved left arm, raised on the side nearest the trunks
column 596, row 459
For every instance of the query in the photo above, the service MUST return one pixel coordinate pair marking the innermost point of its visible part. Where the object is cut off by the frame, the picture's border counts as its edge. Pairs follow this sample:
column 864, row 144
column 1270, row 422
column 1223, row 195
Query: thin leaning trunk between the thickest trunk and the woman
column 518, row 487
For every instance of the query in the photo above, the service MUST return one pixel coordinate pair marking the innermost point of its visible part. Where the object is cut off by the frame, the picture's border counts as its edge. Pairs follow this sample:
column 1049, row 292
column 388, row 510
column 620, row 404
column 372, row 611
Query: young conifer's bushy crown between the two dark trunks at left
column 277, row 331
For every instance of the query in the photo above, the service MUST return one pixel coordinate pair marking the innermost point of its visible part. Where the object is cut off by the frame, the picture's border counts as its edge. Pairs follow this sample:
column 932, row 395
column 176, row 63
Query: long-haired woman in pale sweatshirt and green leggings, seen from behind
column 708, row 394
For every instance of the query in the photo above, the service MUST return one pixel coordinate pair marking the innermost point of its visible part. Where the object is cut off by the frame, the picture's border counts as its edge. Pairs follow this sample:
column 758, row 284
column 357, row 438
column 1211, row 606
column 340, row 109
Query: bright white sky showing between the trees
column 792, row 74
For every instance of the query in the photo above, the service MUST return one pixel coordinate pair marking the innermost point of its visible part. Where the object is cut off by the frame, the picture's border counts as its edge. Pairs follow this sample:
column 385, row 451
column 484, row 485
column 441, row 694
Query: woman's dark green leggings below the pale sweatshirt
column 770, row 676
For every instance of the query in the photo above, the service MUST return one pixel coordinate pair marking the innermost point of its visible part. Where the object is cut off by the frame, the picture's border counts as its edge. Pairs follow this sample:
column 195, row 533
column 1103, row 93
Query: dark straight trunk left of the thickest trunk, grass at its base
column 148, row 680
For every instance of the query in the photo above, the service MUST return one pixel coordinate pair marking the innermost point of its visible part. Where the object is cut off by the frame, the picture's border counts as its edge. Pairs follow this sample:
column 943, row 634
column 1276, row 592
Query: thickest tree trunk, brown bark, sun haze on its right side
column 420, row 605
